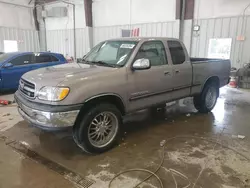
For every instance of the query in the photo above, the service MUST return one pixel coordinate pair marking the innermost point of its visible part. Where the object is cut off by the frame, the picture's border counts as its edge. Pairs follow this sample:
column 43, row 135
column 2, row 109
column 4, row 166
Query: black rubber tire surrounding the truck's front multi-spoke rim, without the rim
column 80, row 131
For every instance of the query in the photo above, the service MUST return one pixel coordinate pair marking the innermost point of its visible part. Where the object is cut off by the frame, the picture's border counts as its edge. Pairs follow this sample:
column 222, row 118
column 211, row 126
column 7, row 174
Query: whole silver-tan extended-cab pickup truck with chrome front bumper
column 117, row 77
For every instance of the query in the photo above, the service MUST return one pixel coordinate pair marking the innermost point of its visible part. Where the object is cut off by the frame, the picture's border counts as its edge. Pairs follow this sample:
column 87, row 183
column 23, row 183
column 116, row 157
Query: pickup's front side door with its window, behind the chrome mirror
column 154, row 85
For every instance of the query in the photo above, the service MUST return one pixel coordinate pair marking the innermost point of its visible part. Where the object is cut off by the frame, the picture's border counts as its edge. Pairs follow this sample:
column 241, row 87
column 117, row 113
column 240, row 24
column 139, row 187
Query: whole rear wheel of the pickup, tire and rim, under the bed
column 206, row 101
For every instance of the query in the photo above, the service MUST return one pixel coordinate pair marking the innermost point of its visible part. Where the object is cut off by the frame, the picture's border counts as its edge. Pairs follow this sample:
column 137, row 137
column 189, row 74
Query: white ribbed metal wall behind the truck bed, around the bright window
column 228, row 27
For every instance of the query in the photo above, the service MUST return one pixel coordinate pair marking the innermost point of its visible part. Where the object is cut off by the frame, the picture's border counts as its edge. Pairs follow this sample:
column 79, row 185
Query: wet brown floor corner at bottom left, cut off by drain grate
column 20, row 172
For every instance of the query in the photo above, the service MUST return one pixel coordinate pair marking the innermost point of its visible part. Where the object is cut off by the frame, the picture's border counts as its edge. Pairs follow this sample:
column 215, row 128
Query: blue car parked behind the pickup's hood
column 14, row 65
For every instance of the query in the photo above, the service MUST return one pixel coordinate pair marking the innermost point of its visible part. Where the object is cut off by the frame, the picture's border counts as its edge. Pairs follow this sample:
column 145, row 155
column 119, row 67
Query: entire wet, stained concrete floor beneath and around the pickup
column 202, row 163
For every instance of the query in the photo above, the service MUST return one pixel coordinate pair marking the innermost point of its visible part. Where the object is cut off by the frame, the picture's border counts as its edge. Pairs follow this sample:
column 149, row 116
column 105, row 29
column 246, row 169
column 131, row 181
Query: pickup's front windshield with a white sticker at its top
column 111, row 53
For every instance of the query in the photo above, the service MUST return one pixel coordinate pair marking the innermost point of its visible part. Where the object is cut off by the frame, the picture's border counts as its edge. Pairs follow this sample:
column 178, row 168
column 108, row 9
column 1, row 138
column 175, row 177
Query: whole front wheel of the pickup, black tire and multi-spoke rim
column 99, row 129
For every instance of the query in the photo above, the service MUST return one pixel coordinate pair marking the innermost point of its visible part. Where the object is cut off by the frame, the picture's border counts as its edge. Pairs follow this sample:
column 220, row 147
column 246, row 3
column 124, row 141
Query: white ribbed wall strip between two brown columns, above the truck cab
column 161, row 29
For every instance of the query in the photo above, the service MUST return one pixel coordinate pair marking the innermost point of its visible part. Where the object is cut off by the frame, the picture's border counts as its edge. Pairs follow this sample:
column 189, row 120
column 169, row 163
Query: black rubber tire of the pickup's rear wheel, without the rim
column 200, row 100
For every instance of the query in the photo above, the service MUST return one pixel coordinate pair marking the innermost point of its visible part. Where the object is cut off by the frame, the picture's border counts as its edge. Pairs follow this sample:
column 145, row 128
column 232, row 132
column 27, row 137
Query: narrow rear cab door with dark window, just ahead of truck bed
column 182, row 69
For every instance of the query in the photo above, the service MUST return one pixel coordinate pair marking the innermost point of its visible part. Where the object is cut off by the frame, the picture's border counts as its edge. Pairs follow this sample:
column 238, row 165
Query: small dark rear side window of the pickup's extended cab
column 177, row 52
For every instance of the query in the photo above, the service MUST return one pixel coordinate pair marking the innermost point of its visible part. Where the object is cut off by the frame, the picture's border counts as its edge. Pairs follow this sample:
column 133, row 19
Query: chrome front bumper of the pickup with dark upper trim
column 47, row 117
